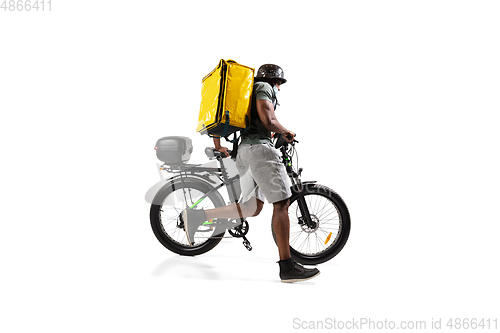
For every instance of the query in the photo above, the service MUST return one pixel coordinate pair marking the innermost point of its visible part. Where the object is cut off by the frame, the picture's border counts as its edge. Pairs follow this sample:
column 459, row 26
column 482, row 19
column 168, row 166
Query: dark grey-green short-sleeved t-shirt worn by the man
column 257, row 133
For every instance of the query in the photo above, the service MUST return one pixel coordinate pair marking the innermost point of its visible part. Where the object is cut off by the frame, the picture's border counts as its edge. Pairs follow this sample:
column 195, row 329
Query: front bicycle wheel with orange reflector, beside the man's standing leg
column 332, row 224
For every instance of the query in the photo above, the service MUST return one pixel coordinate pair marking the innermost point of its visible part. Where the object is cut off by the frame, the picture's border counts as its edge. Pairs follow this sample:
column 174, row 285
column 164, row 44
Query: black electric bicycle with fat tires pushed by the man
column 319, row 219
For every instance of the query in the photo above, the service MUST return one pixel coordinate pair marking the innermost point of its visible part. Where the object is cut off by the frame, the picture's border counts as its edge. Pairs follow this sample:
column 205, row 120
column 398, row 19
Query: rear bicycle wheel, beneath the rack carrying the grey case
column 170, row 201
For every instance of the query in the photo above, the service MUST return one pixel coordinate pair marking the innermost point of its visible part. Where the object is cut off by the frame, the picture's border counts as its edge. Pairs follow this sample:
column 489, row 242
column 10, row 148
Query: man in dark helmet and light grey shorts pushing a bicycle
column 263, row 175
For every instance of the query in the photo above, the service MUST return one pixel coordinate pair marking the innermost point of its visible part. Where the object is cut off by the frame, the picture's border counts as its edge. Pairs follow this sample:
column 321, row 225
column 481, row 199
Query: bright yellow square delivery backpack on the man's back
column 226, row 96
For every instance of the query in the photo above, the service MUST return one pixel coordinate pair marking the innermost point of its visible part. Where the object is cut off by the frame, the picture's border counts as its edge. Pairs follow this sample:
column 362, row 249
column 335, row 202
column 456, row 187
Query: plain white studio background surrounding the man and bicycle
column 394, row 104
